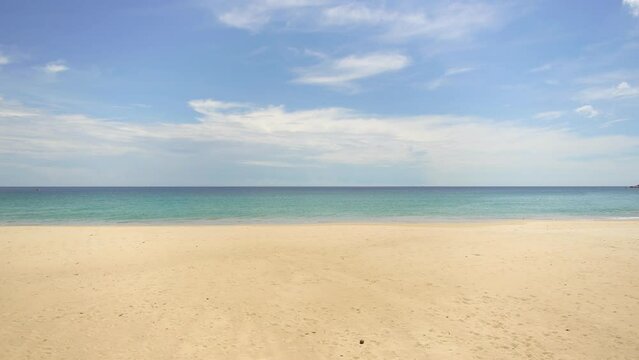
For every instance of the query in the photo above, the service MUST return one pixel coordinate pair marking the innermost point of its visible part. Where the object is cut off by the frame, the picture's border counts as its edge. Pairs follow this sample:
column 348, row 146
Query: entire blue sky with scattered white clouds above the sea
column 319, row 93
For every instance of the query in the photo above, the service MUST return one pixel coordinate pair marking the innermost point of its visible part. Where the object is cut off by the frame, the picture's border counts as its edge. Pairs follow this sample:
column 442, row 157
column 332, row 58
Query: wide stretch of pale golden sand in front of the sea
column 506, row 290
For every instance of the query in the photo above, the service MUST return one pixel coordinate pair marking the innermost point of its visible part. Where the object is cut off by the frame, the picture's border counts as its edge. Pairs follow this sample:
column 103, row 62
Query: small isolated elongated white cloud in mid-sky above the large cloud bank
column 344, row 71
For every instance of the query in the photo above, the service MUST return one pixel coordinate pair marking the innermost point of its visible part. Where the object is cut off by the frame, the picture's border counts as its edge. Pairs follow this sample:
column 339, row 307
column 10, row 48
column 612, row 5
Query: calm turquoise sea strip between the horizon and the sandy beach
column 302, row 204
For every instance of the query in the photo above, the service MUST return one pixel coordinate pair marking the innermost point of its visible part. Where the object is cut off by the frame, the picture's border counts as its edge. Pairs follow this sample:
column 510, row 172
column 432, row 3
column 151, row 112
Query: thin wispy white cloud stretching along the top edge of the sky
column 444, row 22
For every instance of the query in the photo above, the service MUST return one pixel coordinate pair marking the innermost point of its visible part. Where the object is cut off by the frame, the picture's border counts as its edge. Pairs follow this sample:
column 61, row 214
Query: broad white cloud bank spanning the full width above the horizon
column 450, row 149
